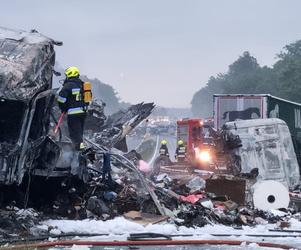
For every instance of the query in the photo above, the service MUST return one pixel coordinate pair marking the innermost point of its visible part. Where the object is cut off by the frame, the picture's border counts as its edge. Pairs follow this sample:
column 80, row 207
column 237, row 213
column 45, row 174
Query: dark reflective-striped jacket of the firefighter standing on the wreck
column 70, row 98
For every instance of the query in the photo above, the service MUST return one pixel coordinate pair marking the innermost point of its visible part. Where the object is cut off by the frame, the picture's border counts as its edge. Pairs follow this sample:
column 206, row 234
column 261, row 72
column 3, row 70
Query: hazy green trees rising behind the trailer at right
column 246, row 76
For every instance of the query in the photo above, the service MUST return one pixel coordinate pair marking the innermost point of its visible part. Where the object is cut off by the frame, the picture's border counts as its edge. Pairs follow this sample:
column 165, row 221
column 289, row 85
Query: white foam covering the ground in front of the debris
column 119, row 228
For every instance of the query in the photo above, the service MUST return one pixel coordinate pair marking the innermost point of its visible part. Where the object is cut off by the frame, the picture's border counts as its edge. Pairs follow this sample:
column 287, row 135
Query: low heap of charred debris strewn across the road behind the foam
column 183, row 202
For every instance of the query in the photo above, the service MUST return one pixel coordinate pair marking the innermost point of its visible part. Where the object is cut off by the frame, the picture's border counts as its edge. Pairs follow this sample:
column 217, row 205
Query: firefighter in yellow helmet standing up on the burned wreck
column 71, row 102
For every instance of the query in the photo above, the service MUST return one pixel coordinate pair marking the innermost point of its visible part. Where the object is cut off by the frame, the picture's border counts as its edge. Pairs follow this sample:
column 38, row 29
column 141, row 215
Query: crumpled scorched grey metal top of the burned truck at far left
column 26, row 63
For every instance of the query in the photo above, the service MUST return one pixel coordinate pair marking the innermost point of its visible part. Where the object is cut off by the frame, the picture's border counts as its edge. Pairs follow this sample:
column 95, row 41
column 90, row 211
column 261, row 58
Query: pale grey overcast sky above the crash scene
column 158, row 50
